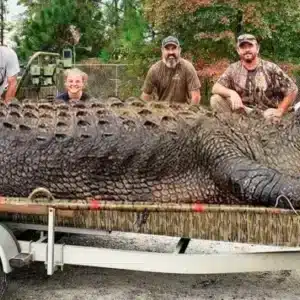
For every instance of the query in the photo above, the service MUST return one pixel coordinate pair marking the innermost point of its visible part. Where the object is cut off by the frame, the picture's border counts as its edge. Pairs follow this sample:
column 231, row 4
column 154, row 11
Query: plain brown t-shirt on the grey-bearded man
column 172, row 85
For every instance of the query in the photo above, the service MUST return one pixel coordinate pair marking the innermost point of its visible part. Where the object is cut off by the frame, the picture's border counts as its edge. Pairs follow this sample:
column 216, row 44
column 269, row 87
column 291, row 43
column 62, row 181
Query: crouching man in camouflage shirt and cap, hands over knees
column 253, row 82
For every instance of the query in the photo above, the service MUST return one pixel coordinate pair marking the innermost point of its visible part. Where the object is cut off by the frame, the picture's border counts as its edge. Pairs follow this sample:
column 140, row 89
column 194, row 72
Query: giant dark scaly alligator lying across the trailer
column 131, row 151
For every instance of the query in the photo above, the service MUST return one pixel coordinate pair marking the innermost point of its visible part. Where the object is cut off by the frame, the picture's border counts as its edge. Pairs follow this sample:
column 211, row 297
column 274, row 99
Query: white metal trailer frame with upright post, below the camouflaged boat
column 17, row 253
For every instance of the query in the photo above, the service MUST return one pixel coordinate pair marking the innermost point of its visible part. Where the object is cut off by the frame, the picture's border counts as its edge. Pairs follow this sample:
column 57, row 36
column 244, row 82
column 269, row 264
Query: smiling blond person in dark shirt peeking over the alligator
column 75, row 81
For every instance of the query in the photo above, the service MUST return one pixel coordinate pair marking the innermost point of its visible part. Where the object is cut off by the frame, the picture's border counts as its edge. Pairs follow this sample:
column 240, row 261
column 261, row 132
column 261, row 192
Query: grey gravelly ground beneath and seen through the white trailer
column 95, row 283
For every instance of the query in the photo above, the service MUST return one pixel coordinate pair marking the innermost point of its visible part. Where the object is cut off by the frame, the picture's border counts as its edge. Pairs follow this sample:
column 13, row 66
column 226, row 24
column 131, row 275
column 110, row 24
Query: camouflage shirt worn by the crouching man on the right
column 264, row 87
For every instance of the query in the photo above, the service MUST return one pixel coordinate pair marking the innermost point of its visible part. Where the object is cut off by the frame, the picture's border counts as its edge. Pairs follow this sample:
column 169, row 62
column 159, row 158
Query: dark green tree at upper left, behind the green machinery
column 49, row 23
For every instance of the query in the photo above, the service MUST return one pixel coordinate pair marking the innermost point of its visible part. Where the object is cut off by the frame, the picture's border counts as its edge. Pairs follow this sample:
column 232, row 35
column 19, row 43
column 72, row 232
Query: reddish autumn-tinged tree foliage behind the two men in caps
column 209, row 27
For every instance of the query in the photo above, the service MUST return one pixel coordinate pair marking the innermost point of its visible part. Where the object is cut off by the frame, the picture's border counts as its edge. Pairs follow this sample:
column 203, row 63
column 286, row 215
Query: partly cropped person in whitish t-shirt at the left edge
column 9, row 65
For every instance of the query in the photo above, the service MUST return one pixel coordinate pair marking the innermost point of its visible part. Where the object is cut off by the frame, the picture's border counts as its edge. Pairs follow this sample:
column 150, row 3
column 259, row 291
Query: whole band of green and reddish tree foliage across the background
column 121, row 29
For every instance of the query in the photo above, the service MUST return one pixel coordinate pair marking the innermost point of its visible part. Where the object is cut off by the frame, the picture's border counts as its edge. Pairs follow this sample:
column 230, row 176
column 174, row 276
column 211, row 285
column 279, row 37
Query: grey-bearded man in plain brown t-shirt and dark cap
column 172, row 78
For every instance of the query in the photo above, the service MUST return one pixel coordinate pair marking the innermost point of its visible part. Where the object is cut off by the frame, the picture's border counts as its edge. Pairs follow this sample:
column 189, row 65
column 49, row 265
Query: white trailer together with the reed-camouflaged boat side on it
column 17, row 253
